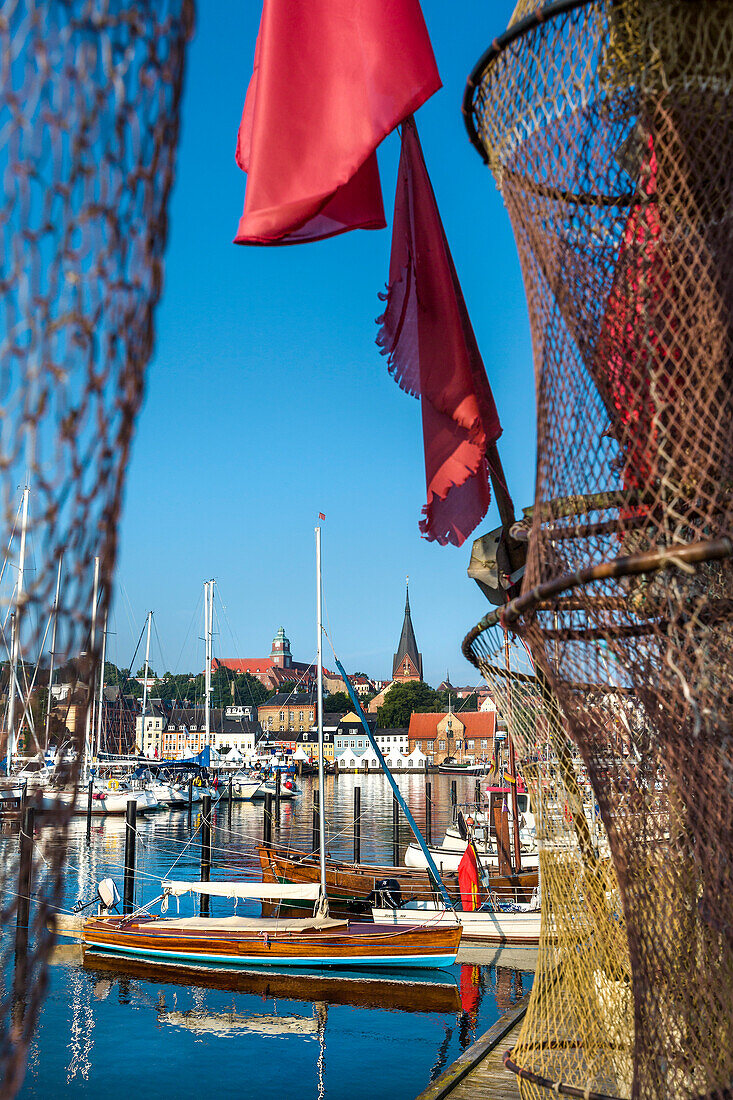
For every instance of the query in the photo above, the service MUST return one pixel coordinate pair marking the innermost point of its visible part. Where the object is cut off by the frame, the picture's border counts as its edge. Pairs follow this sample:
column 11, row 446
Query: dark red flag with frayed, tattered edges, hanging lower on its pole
column 434, row 355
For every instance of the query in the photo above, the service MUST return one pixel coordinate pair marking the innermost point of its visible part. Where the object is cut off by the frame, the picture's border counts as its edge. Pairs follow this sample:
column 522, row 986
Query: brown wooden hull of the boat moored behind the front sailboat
column 349, row 885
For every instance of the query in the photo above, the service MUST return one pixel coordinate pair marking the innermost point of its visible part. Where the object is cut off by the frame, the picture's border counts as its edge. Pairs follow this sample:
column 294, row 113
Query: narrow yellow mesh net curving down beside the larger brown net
column 584, row 972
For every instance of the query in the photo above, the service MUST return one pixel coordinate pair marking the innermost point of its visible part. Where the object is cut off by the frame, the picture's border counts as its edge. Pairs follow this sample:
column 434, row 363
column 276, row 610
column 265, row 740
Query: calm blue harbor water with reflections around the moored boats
column 115, row 1028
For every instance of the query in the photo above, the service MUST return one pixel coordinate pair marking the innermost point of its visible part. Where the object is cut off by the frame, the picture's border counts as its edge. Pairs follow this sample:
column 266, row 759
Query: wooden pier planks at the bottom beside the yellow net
column 479, row 1073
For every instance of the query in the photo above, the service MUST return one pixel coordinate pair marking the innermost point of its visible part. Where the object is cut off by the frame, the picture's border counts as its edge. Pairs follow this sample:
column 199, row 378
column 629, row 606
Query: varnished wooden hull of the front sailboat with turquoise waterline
column 359, row 945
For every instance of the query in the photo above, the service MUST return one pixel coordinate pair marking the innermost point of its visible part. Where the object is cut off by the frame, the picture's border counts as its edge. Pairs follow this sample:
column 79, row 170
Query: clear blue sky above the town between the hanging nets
column 268, row 401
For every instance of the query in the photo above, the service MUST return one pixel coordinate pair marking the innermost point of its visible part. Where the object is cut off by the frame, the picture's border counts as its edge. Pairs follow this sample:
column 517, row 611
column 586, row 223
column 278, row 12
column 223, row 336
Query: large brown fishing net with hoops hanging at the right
column 609, row 129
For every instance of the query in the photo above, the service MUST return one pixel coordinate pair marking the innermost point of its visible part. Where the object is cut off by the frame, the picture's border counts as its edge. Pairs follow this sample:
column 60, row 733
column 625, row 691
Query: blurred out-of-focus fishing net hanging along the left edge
column 90, row 101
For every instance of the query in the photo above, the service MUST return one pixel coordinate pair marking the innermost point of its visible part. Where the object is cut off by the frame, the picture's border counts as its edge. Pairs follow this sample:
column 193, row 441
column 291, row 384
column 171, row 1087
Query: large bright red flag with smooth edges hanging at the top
column 332, row 79
